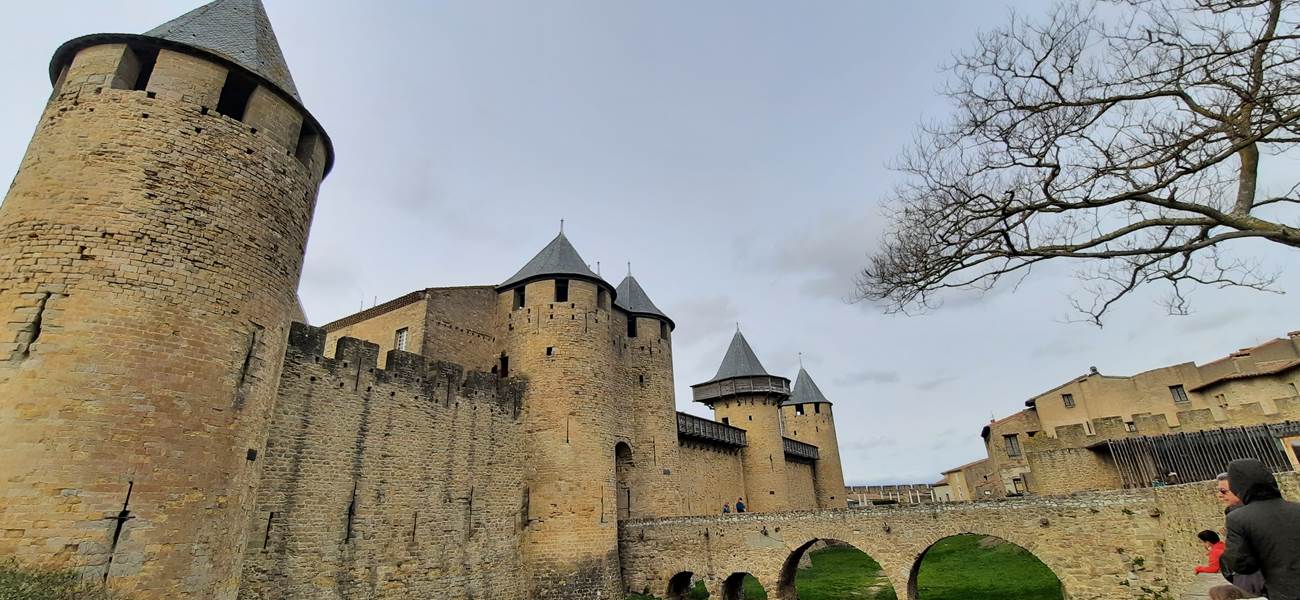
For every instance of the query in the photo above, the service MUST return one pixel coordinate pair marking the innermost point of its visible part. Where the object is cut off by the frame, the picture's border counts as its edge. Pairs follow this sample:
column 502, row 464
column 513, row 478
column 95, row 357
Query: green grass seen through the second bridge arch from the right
column 843, row 573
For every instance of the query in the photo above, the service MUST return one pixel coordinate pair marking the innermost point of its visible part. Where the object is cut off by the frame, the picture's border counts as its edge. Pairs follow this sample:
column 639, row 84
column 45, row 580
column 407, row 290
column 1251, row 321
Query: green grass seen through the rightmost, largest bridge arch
column 969, row 568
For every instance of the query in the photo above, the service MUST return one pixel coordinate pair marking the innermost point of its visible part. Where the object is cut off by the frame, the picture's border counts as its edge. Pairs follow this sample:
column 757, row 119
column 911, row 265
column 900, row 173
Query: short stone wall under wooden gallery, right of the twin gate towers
column 710, row 477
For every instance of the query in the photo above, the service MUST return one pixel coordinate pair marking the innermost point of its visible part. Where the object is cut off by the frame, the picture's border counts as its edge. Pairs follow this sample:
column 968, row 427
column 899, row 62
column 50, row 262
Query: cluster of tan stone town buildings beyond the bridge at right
column 1064, row 441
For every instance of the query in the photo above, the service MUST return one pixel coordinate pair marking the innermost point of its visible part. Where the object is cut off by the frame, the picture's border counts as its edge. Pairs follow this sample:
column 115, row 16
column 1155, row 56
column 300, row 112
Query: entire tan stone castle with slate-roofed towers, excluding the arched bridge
column 171, row 429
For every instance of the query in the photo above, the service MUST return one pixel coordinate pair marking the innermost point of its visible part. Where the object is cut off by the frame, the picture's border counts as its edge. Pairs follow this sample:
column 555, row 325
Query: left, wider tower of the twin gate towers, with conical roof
column 561, row 337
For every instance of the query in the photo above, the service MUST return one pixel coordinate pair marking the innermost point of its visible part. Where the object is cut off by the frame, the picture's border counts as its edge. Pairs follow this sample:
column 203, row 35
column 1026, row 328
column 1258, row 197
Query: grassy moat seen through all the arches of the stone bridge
column 959, row 568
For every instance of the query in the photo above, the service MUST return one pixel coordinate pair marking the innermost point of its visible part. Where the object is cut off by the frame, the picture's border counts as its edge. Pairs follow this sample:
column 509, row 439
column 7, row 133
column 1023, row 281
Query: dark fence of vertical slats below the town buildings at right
column 1198, row 456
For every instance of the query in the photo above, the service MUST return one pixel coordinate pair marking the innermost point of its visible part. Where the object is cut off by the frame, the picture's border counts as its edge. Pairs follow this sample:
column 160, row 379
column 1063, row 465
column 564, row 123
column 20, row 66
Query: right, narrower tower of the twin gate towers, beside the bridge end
column 648, row 486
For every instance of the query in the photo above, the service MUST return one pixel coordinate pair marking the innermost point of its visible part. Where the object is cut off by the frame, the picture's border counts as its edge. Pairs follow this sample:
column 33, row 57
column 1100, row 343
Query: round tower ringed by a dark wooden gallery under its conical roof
column 744, row 395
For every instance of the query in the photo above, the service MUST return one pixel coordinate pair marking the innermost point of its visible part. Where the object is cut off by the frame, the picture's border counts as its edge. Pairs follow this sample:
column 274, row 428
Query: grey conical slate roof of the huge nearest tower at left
column 239, row 31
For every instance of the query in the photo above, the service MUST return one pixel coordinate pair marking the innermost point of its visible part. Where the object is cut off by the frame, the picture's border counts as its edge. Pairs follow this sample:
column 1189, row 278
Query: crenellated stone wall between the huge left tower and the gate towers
column 404, row 482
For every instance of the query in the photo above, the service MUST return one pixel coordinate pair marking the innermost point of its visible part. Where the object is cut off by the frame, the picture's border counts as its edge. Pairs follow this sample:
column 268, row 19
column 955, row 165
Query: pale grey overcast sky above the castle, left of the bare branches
column 734, row 153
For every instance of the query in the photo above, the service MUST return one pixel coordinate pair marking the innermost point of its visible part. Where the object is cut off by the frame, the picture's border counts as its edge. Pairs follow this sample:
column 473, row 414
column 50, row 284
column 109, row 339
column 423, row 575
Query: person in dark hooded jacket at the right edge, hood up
column 1264, row 534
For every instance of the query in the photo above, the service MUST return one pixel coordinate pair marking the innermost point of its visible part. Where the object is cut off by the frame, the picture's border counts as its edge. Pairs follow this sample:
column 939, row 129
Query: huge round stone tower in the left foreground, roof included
column 150, row 251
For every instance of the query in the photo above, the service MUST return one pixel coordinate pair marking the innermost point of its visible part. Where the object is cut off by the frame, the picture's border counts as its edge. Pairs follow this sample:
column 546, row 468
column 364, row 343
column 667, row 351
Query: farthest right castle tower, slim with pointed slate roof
column 809, row 419
